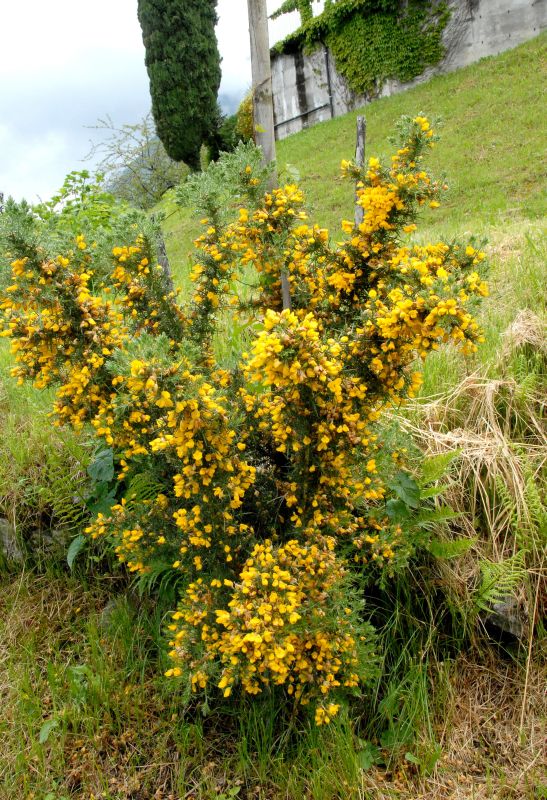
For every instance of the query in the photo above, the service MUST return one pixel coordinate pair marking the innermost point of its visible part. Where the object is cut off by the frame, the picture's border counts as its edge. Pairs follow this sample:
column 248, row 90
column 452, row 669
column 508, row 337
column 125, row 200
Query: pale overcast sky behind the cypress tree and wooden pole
column 66, row 63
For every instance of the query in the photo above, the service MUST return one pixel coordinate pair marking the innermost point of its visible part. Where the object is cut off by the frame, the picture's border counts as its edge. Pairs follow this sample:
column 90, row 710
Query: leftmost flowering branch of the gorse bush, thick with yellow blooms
column 60, row 331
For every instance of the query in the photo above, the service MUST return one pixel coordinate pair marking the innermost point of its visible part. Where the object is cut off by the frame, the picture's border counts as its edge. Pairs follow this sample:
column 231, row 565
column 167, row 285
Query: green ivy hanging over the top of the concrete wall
column 373, row 40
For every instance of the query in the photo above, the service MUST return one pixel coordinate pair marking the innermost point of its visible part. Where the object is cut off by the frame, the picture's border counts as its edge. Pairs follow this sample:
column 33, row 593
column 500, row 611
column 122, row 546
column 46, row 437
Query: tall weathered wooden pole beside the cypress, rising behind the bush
column 263, row 101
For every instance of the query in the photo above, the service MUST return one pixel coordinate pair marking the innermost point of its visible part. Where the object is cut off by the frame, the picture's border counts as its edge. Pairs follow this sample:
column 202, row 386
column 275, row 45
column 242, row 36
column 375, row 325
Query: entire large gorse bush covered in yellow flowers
column 265, row 487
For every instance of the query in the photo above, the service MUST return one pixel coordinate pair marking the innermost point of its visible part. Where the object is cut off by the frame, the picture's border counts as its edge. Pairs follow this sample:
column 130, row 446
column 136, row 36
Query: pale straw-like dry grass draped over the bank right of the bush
column 500, row 436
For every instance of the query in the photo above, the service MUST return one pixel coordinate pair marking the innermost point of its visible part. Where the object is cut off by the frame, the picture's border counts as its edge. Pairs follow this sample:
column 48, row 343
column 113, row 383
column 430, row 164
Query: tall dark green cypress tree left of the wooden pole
column 183, row 65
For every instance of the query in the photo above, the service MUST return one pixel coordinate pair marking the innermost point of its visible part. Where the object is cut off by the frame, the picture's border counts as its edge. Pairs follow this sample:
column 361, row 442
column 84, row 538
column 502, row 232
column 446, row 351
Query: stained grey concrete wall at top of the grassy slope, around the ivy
column 476, row 28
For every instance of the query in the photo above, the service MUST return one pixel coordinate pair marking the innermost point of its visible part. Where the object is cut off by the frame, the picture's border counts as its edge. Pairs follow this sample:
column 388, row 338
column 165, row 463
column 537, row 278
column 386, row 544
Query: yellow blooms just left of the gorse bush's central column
column 174, row 416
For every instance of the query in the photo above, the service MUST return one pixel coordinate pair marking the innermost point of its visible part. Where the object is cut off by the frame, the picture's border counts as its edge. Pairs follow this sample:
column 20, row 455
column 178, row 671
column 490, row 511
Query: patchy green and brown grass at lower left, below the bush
column 86, row 711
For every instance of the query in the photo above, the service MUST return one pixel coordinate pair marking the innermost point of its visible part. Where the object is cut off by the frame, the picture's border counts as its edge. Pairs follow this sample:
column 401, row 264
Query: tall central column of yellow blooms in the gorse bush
column 313, row 412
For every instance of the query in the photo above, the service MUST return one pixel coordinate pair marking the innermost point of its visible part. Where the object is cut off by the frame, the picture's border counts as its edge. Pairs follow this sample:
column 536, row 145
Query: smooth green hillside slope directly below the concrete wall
column 491, row 150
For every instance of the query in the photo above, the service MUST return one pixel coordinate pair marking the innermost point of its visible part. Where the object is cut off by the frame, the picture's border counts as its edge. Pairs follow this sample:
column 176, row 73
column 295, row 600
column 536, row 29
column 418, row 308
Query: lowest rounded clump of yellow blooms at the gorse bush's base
column 281, row 626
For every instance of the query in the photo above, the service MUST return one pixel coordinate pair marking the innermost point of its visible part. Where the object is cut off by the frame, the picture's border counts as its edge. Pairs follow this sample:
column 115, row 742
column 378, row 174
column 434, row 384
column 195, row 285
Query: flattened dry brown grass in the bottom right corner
column 486, row 753
